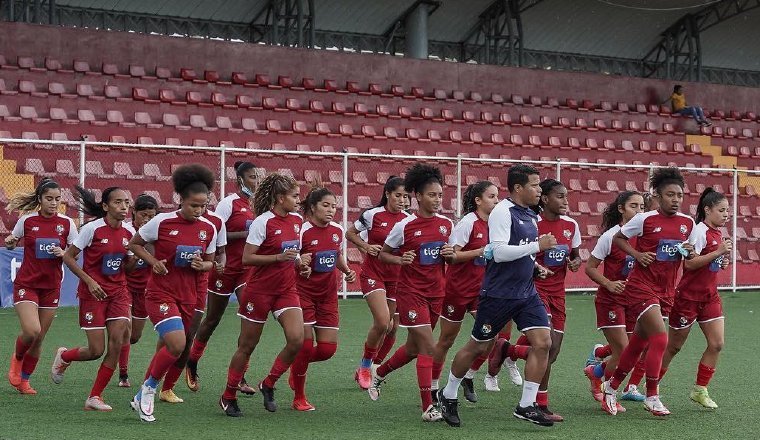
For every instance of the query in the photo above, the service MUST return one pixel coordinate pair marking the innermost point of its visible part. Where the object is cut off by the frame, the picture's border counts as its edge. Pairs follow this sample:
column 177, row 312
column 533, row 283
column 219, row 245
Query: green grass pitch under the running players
column 343, row 411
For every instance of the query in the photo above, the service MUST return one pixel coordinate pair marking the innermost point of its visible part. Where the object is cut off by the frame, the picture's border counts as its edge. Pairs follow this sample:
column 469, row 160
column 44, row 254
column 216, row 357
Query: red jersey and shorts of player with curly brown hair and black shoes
column 274, row 235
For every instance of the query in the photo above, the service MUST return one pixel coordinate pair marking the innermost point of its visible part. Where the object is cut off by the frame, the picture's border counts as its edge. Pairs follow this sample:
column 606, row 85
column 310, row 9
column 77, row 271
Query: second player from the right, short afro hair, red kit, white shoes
column 660, row 247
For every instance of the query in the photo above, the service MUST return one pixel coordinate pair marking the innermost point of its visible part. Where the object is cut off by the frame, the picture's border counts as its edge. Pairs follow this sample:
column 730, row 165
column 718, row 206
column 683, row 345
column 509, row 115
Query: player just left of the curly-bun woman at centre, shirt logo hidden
column 378, row 280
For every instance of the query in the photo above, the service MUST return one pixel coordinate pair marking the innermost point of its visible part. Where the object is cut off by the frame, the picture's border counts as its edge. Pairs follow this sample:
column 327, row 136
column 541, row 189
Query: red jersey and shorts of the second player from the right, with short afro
column 661, row 234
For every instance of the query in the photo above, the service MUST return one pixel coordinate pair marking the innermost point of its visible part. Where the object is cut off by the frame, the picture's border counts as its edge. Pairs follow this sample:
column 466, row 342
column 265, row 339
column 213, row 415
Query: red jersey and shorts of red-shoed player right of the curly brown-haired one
column 324, row 244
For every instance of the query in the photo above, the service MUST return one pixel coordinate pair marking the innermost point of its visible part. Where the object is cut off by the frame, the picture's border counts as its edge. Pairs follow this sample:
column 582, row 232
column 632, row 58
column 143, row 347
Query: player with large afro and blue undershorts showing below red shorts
column 184, row 245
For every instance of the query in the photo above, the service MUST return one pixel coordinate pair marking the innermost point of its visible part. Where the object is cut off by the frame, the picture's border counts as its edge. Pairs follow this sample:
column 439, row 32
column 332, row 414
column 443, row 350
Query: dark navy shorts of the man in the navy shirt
column 494, row 313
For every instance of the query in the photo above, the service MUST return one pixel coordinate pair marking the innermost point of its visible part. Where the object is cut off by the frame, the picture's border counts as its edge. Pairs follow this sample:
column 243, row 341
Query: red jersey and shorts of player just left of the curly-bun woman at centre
column 378, row 222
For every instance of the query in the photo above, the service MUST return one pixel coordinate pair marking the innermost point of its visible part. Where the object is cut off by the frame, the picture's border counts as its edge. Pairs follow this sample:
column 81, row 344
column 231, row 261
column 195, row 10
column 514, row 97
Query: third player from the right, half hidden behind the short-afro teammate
column 611, row 318
